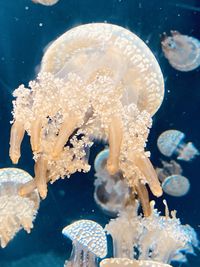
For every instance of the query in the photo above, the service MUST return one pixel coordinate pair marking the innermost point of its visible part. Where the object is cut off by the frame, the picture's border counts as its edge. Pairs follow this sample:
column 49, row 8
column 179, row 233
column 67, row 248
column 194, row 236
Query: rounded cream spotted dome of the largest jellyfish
column 89, row 48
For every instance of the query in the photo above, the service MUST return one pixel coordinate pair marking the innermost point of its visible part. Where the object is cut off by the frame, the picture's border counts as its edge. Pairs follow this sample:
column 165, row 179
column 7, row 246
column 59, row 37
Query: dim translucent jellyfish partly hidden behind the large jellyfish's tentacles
column 111, row 191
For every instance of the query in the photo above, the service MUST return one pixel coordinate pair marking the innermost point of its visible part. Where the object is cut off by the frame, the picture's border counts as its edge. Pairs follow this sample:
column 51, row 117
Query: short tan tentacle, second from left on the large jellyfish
column 36, row 128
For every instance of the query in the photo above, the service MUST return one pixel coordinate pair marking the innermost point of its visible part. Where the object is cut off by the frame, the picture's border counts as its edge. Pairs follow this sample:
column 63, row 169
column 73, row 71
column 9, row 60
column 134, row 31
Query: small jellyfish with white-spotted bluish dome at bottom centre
column 89, row 243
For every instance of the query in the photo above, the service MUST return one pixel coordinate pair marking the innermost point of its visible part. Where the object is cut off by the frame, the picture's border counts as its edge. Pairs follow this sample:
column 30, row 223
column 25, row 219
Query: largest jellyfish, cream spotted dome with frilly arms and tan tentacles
column 96, row 81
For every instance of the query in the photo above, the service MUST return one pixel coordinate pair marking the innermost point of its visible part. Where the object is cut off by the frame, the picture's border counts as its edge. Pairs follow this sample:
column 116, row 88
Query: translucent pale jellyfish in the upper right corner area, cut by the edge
column 182, row 51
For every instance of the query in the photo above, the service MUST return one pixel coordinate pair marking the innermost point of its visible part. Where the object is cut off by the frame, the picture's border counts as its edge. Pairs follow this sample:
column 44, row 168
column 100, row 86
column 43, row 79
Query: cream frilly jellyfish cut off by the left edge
column 16, row 212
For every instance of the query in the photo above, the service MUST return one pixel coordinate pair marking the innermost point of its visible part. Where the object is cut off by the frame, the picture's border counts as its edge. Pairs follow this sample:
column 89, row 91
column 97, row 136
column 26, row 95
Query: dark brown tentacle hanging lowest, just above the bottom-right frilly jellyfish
column 143, row 196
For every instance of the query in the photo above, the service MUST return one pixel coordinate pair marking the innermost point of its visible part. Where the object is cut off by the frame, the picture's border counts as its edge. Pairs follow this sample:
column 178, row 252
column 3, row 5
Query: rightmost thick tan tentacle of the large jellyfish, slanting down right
column 145, row 166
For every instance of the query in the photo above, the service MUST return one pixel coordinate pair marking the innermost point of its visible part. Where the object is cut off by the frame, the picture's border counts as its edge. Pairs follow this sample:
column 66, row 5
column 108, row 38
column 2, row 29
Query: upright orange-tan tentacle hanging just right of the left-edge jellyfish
column 41, row 176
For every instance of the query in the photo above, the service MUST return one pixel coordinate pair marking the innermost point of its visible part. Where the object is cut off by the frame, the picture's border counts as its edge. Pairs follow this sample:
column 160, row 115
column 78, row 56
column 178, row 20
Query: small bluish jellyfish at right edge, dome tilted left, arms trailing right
column 171, row 142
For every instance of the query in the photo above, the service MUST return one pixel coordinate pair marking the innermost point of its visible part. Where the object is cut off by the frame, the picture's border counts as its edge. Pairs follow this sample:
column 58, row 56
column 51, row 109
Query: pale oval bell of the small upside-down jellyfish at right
column 176, row 185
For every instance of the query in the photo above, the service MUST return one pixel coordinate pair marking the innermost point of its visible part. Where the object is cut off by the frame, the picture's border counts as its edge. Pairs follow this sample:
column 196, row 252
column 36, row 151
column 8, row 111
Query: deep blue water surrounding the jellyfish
column 22, row 41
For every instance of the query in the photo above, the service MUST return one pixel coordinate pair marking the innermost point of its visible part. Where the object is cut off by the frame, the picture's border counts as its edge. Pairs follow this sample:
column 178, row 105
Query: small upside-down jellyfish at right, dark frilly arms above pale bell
column 173, row 183
